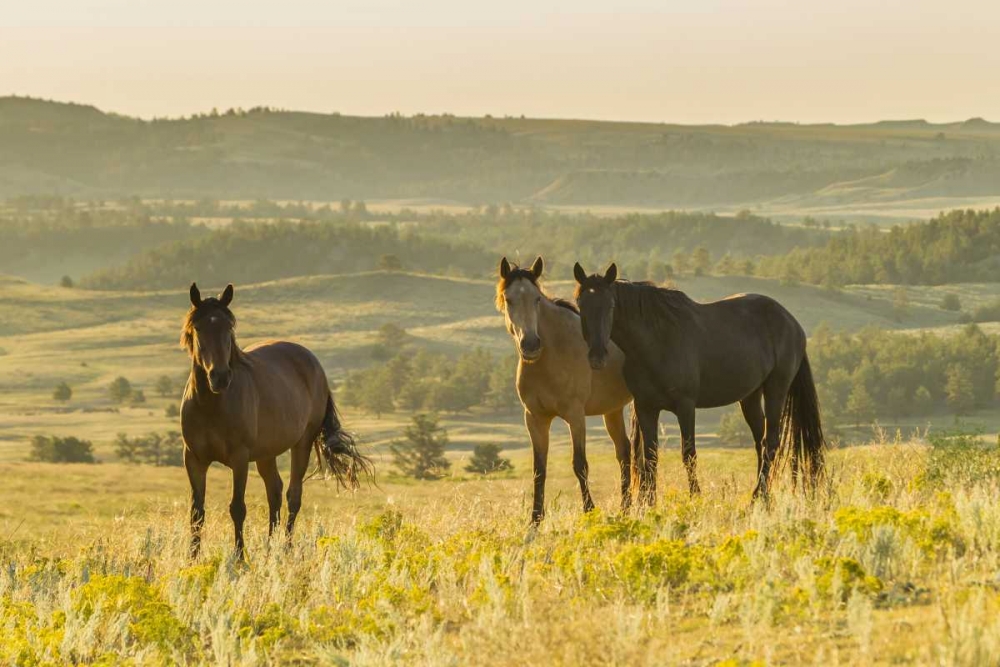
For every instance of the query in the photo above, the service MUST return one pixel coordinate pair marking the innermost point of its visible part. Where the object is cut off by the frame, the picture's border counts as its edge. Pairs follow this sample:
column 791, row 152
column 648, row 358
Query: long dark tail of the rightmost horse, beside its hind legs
column 801, row 430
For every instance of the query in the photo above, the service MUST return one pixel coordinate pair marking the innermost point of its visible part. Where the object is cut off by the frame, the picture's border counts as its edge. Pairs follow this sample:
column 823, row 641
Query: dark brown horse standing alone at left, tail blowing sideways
column 251, row 406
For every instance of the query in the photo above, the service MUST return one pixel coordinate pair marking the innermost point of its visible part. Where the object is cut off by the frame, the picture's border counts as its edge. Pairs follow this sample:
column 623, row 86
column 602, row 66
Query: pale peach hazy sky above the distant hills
column 690, row 61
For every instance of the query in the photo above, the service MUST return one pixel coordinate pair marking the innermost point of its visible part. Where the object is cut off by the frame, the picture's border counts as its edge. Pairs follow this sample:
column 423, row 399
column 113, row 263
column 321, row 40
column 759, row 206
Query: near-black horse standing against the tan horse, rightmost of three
column 681, row 355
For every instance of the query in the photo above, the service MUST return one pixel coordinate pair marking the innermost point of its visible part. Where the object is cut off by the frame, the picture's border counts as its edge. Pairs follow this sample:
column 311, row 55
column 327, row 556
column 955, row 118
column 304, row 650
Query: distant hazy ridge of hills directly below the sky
column 73, row 149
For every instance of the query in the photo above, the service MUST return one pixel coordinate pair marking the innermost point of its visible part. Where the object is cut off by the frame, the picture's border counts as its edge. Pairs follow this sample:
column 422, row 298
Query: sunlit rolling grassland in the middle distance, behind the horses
column 87, row 338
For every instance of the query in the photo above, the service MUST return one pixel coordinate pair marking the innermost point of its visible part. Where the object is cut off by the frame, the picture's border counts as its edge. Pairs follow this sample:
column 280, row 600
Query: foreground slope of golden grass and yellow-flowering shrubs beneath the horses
column 885, row 566
